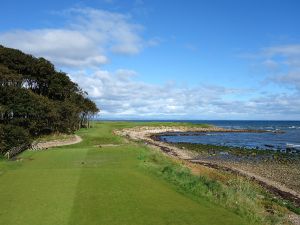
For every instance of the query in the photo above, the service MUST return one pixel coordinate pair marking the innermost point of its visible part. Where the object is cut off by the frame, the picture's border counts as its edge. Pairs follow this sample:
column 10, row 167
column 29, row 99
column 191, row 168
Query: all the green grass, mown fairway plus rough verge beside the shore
column 107, row 179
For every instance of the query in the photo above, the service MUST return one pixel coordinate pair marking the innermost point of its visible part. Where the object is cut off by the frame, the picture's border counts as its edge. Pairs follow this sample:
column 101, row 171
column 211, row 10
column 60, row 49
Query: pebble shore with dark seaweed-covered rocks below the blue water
column 274, row 165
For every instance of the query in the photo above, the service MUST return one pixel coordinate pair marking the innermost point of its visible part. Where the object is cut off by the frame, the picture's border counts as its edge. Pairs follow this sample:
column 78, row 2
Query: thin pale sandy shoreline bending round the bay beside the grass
column 148, row 135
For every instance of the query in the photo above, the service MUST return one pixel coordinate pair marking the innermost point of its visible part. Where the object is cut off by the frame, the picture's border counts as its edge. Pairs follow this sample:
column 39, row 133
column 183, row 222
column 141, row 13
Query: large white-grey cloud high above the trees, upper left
column 89, row 36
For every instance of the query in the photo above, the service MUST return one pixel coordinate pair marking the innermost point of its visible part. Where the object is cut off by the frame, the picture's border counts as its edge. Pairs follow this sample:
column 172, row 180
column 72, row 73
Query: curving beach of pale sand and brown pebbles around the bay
column 281, row 178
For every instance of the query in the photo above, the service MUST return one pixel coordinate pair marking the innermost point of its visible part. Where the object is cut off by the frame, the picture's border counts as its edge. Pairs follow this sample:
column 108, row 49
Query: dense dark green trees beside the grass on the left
column 35, row 100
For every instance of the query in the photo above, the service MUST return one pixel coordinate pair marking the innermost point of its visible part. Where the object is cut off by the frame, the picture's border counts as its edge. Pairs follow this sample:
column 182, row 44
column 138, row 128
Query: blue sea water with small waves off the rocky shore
column 280, row 136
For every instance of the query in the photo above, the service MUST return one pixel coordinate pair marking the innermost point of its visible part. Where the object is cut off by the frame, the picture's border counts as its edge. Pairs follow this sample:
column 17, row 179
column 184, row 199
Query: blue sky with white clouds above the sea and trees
column 177, row 60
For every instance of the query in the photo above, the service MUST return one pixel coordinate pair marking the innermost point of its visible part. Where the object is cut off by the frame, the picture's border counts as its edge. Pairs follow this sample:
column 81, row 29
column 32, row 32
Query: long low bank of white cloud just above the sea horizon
column 126, row 98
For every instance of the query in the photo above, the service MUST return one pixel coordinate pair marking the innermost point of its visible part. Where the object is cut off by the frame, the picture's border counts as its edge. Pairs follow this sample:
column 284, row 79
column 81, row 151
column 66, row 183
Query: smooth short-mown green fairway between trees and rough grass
column 85, row 184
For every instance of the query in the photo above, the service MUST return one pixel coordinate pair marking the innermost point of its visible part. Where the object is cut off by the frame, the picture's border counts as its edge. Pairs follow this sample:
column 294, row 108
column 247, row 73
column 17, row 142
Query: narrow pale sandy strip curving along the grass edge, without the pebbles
column 145, row 133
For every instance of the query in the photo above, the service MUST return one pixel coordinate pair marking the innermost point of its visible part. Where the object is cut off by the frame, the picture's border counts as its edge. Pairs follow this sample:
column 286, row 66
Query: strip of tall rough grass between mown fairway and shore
column 236, row 193
